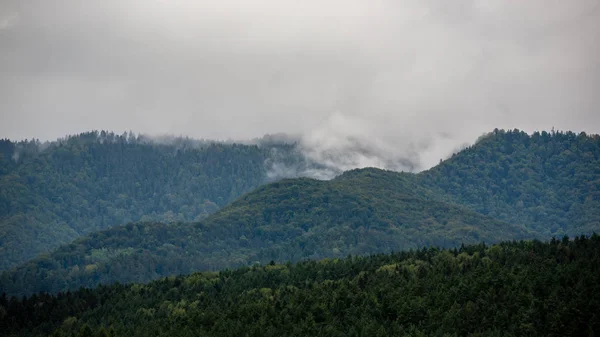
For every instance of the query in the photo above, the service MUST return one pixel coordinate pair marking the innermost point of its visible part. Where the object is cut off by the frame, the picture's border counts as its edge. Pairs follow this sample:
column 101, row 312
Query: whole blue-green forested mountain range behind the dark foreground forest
column 509, row 185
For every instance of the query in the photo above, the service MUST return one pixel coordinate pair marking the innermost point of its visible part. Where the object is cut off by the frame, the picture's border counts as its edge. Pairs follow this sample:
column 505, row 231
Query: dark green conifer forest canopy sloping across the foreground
column 526, row 288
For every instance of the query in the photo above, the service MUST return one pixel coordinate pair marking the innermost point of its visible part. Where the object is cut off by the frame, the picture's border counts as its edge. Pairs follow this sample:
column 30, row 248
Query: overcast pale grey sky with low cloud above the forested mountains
column 397, row 84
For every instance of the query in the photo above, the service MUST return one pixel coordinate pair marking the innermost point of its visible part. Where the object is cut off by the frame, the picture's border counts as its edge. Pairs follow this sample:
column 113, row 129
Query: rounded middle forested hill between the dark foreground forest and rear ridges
column 361, row 212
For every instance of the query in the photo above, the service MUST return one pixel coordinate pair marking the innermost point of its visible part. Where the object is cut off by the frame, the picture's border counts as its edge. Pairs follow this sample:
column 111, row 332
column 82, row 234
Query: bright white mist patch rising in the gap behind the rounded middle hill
column 347, row 142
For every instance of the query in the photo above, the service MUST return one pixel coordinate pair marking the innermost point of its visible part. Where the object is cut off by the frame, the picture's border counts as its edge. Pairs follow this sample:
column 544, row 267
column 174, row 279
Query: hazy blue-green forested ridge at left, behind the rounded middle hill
column 55, row 192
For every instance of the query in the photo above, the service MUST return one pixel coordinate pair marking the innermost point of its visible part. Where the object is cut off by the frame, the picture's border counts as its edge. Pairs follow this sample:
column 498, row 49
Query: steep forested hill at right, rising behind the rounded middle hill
column 548, row 182
